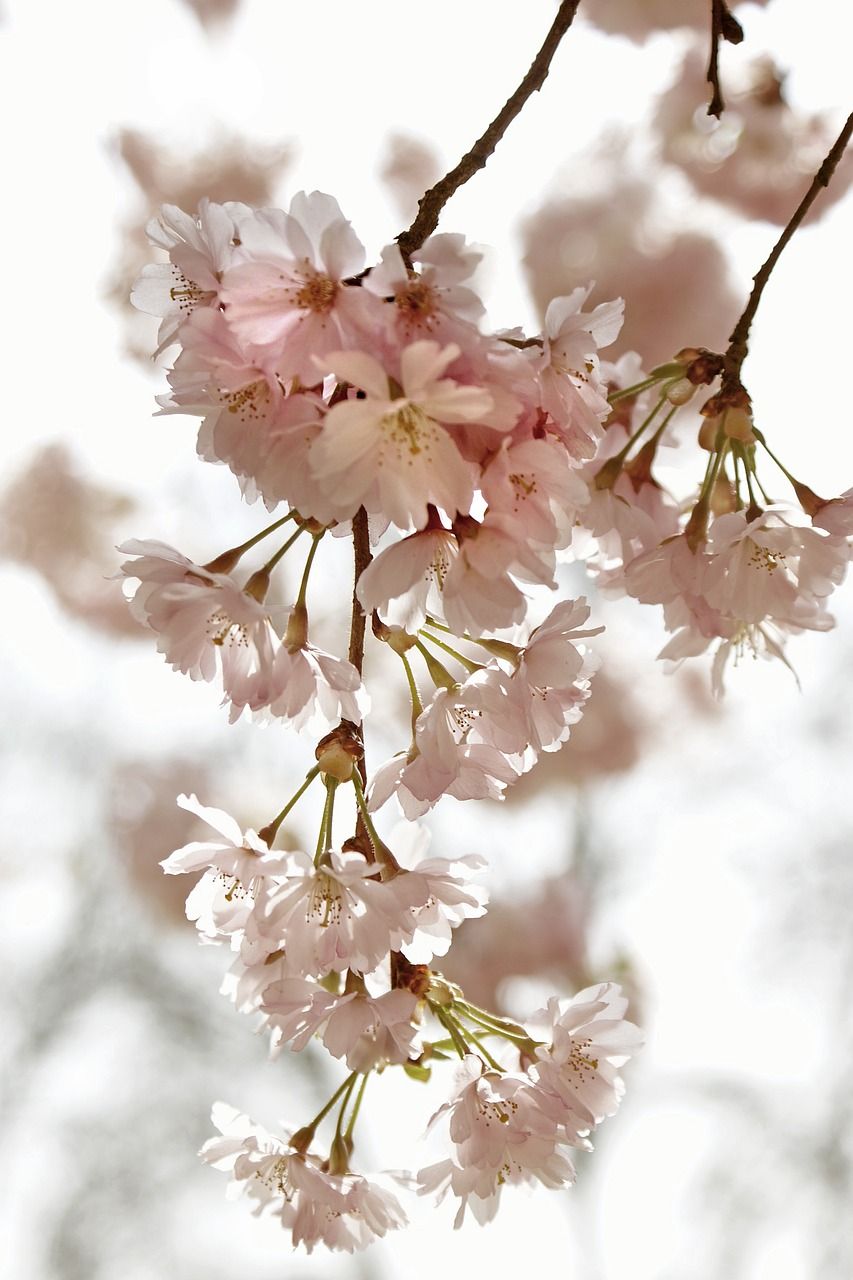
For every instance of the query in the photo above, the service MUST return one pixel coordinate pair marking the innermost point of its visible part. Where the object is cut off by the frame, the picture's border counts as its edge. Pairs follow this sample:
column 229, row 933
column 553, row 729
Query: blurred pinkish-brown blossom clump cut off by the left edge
column 61, row 524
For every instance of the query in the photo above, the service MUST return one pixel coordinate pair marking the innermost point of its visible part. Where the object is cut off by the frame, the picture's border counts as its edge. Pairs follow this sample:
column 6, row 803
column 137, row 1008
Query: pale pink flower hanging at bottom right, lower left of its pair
column 500, row 1136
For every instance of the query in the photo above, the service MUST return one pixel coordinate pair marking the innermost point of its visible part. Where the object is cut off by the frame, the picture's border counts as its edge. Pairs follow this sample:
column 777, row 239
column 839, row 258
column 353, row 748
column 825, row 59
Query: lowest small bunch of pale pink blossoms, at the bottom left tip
column 344, row 1213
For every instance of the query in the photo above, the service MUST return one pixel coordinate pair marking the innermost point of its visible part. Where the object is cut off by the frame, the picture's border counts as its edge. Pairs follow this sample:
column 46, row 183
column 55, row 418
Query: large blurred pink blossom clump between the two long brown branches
column 676, row 282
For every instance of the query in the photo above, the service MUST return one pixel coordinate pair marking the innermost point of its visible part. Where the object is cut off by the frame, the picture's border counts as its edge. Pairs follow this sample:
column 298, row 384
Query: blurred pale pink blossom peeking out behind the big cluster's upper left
column 230, row 168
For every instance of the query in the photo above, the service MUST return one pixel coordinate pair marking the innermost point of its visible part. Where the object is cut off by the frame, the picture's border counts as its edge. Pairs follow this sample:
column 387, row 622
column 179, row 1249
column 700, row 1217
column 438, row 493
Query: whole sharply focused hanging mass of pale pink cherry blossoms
column 466, row 465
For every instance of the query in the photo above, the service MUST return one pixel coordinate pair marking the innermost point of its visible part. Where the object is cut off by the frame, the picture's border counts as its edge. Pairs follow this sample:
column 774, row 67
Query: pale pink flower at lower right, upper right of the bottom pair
column 578, row 1071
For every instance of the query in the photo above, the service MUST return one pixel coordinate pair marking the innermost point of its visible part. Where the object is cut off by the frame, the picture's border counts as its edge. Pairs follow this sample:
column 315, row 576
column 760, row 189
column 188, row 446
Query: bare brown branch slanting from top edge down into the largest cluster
column 431, row 205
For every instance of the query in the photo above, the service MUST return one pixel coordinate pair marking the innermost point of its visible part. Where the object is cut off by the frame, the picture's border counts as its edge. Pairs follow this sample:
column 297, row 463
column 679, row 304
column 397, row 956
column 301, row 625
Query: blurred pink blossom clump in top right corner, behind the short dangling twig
column 761, row 156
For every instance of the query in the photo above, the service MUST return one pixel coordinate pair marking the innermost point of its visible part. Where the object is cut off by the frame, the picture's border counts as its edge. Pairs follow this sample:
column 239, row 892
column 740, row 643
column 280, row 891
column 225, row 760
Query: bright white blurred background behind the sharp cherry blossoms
column 699, row 853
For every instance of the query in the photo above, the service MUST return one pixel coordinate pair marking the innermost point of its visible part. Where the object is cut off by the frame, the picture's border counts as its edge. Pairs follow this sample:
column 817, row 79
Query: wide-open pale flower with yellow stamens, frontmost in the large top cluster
column 394, row 454
